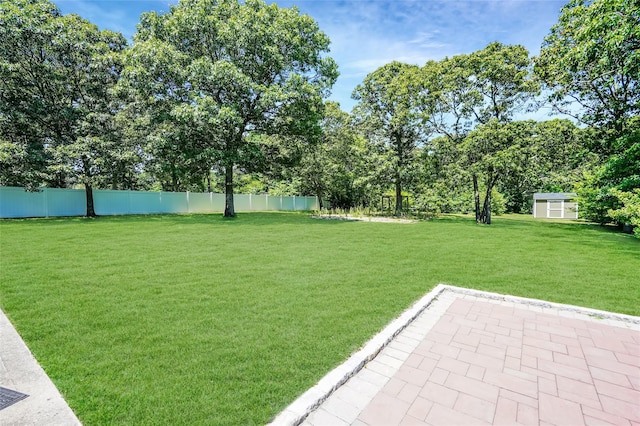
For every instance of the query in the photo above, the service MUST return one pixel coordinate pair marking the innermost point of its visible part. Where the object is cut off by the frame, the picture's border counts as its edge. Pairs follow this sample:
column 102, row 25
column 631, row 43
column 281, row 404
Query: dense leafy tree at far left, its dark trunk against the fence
column 55, row 106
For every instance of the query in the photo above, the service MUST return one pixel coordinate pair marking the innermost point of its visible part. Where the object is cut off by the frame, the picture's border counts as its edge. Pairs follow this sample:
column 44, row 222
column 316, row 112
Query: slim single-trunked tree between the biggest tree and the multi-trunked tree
column 386, row 107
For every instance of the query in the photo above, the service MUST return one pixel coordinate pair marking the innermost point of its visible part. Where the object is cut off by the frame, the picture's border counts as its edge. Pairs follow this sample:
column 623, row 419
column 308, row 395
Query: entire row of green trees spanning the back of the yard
column 227, row 95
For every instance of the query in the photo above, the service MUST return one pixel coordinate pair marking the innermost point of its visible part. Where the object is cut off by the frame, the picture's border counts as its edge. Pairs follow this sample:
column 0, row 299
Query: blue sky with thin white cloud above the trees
column 366, row 34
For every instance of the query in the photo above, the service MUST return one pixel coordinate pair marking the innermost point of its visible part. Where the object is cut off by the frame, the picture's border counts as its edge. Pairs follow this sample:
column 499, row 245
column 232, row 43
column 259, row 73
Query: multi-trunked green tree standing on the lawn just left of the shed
column 466, row 100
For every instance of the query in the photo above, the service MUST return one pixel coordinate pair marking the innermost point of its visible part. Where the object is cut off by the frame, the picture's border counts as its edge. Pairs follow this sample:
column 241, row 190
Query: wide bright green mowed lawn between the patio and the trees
column 201, row 320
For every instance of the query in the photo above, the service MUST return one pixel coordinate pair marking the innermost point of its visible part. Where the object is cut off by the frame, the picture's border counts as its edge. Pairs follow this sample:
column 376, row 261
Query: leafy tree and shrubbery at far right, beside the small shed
column 590, row 64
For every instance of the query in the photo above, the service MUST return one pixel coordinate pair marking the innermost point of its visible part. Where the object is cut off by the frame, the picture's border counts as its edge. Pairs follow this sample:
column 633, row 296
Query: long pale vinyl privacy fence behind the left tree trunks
column 48, row 202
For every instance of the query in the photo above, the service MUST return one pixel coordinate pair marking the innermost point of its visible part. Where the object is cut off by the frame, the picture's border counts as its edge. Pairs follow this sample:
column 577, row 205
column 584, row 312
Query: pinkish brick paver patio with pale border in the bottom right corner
column 501, row 362
